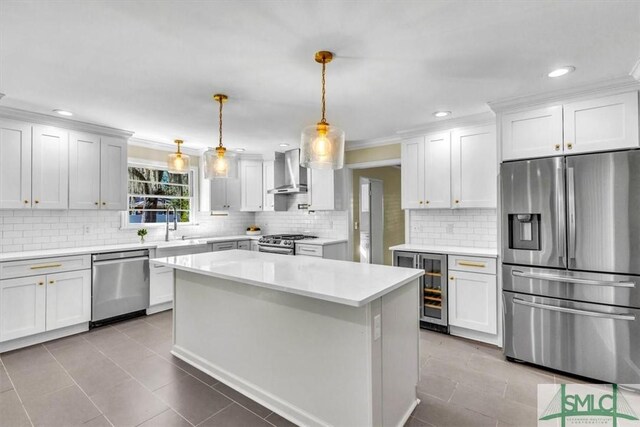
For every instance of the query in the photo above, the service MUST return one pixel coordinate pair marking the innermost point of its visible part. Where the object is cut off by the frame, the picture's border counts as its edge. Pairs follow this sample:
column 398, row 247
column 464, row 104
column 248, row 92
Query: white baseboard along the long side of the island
column 285, row 409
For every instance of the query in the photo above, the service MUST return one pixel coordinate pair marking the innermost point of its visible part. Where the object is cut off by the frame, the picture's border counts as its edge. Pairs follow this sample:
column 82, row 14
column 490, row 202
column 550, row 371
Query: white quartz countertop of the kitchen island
column 342, row 282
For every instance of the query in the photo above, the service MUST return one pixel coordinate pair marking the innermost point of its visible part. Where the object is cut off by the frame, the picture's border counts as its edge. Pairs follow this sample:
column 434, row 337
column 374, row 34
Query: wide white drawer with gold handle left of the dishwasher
column 35, row 267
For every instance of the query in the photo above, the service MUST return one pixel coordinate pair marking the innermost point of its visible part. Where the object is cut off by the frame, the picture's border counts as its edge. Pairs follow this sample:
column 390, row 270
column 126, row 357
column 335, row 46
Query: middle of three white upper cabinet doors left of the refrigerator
column 437, row 171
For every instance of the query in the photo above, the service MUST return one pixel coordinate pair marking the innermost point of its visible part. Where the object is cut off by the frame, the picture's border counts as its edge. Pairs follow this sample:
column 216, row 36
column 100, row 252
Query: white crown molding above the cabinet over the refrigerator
column 610, row 86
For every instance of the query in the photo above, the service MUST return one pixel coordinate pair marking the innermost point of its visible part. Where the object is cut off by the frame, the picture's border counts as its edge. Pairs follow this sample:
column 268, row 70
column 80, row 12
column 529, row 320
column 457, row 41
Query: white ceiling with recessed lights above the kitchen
column 151, row 66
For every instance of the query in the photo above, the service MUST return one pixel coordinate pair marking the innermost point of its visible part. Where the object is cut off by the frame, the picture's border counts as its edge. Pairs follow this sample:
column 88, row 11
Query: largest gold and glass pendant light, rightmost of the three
column 322, row 145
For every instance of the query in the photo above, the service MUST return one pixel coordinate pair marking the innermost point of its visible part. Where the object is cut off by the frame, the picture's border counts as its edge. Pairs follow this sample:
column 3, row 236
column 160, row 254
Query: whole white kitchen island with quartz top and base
column 320, row 342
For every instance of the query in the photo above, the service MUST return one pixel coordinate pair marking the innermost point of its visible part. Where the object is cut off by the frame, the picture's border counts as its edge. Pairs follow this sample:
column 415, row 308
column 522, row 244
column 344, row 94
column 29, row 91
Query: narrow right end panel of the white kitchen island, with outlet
column 400, row 353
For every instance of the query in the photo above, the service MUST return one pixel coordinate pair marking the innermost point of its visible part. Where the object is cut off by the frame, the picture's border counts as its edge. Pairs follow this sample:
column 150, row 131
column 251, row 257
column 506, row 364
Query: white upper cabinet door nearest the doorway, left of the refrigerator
column 412, row 173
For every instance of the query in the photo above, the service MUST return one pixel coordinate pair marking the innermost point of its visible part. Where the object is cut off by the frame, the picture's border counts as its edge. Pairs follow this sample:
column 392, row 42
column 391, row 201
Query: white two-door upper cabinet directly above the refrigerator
column 599, row 124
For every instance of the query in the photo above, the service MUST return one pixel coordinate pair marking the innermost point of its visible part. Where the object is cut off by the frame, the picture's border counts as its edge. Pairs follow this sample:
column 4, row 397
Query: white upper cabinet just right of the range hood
column 324, row 189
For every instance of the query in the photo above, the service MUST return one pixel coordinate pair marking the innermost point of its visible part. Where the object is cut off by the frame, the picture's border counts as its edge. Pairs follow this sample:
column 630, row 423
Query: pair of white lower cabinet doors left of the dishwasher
column 31, row 305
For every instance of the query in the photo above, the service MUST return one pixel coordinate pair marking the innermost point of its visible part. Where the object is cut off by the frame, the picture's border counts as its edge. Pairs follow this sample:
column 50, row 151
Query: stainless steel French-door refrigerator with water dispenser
column 571, row 264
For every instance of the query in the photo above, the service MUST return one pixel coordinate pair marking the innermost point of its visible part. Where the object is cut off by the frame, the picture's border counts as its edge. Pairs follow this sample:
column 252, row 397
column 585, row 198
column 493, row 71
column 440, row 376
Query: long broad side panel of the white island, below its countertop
column 307, row 359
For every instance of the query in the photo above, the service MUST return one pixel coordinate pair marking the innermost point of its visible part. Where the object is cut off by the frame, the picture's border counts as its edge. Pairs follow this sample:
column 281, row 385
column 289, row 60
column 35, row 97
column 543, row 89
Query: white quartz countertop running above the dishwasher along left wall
column 48, row 253
